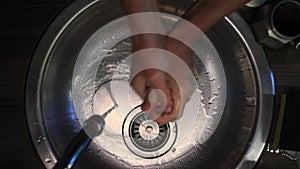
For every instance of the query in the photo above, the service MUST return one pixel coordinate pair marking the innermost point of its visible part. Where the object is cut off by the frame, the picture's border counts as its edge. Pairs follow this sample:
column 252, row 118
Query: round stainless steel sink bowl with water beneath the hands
column 81, row 68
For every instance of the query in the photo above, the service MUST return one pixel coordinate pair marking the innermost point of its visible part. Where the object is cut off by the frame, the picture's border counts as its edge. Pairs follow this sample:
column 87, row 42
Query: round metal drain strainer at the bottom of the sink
column 147, row 138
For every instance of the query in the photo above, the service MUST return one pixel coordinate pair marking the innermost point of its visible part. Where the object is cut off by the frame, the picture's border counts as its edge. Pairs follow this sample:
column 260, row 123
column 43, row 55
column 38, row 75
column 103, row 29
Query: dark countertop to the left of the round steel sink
column 22, row 24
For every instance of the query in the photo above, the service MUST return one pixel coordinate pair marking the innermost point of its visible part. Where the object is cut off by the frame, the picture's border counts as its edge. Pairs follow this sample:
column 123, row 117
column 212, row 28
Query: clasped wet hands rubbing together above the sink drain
column 163, row 99
